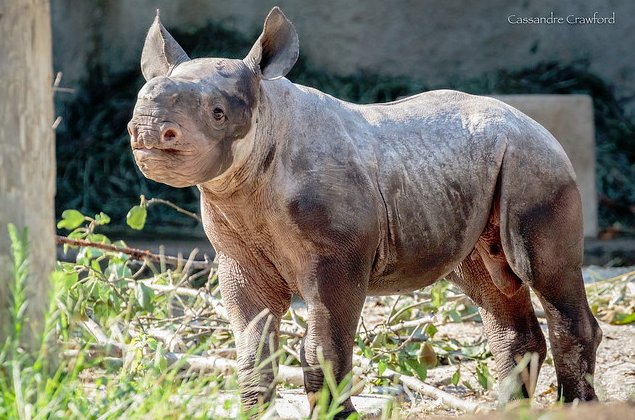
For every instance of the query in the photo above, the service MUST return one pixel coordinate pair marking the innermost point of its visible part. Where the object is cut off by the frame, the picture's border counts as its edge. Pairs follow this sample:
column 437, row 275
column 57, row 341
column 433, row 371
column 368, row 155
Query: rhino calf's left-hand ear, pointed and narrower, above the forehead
column 161, row 53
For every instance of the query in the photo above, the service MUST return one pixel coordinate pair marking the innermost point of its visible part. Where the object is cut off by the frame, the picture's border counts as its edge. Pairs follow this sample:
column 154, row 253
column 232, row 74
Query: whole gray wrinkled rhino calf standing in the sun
column 303, row 193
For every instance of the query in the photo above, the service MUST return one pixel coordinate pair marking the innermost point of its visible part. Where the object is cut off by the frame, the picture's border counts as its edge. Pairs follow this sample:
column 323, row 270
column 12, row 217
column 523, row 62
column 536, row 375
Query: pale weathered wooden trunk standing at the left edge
column 27, row 152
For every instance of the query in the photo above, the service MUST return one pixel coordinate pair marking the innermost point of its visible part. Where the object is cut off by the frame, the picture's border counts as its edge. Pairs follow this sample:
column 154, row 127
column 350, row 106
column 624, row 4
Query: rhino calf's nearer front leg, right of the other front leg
column 334, row 295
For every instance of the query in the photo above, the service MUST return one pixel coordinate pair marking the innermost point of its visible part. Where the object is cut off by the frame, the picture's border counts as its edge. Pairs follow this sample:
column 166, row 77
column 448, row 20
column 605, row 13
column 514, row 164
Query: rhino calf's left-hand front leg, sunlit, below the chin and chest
column 255, row 302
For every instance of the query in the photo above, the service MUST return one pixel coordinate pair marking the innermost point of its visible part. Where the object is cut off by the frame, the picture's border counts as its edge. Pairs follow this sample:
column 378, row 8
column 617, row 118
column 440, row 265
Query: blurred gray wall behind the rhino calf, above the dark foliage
column 433, row 41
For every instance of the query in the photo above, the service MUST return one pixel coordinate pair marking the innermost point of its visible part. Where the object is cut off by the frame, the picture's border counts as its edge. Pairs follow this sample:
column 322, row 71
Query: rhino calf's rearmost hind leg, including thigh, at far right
column 543, row 241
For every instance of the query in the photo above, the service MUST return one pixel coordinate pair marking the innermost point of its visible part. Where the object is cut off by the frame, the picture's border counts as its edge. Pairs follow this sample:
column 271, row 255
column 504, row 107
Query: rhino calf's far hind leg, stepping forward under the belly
column 510, row 325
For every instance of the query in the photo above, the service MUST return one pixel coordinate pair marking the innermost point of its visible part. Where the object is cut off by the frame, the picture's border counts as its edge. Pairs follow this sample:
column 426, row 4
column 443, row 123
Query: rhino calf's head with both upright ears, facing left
column 191, row 114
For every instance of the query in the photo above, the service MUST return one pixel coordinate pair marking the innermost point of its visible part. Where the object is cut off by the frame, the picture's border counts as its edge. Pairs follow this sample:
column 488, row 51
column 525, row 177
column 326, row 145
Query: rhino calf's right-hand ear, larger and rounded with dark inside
column 277, row 48
